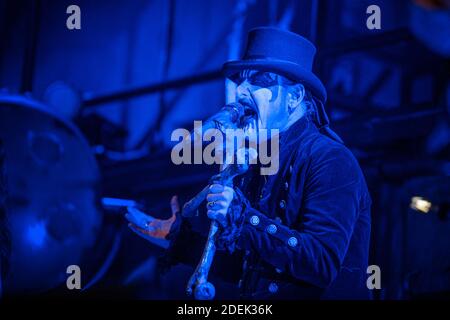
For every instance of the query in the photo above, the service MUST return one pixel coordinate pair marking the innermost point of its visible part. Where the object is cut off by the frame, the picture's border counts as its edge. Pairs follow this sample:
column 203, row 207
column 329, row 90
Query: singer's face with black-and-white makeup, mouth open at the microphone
column 267, row 94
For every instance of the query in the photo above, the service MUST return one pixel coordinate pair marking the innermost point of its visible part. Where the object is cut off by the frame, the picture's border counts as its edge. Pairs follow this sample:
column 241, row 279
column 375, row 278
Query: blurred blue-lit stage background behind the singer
column 137, row 70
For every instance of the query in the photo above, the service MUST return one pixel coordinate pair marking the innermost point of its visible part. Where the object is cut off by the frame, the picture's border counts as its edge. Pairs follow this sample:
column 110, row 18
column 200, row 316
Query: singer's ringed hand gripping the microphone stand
column 219, row 199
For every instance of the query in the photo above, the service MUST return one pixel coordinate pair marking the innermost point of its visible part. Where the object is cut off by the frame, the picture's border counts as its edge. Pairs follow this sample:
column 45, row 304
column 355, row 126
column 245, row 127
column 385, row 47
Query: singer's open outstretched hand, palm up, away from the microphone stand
column 146, row 226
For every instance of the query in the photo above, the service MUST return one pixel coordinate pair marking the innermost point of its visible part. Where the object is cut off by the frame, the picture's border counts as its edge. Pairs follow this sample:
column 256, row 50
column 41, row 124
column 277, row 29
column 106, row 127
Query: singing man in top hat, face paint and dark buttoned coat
column 302, row 233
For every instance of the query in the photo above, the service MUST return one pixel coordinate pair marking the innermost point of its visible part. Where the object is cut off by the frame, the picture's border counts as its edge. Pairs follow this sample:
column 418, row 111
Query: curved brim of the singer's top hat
column 284, row 68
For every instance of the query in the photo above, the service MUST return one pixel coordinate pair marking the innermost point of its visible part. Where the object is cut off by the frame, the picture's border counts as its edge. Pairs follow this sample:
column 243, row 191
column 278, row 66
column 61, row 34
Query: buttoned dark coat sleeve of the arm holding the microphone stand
column 313, row 249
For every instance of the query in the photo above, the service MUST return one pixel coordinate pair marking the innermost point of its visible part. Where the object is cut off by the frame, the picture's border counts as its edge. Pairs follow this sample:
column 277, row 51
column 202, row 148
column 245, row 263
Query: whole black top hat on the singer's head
column 282, row 52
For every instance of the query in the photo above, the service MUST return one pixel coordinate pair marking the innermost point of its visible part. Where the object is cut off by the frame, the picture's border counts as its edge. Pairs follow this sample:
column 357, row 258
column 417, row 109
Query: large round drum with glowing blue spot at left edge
column 53, row 216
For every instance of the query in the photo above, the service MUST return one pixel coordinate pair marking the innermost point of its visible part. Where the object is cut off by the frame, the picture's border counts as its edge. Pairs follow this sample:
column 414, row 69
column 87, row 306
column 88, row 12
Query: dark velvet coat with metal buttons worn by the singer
column 307, row 228
